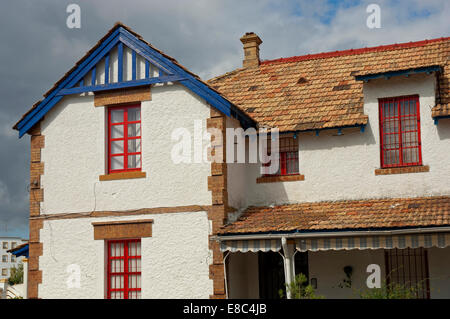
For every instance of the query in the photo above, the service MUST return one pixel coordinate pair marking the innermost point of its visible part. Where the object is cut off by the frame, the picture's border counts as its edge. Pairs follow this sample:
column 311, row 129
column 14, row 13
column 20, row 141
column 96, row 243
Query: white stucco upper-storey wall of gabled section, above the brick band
column 75, row 156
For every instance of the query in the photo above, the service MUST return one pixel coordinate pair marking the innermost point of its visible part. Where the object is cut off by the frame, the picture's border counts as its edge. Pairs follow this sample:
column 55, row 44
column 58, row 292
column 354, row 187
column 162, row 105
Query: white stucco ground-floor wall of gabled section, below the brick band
column 175, row 260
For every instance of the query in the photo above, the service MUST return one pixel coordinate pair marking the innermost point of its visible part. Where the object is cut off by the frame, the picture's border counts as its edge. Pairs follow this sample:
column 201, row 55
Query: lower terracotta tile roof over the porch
column 356, row 214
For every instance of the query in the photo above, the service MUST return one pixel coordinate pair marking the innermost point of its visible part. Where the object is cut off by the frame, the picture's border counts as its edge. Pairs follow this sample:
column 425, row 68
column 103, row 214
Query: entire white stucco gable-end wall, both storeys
column 176, row 258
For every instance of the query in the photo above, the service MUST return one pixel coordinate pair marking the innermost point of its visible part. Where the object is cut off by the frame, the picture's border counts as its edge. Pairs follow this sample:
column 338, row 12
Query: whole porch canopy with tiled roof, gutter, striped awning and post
column 401, row 223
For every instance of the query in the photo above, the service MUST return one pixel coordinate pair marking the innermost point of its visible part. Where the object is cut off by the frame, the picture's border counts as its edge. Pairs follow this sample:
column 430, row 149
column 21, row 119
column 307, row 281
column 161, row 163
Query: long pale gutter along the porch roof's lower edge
column 332, row 234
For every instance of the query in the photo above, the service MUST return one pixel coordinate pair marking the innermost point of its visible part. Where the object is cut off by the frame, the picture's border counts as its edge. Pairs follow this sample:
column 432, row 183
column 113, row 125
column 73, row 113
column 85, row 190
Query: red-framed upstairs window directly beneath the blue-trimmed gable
column 124, row 138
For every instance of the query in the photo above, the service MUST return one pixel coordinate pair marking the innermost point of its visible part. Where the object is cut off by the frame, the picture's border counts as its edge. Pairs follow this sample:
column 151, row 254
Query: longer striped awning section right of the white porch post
column 440, row 240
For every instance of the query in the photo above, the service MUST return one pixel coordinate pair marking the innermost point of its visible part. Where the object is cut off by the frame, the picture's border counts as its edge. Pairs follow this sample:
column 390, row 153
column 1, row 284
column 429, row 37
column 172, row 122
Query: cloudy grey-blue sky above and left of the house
column 37, row 48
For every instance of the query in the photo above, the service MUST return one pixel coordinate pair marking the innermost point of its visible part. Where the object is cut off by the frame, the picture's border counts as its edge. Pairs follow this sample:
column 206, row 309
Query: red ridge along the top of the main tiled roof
column 380, row 48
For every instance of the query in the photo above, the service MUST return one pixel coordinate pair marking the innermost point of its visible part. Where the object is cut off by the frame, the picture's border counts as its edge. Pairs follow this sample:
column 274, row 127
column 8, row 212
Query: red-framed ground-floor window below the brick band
column 124, row 269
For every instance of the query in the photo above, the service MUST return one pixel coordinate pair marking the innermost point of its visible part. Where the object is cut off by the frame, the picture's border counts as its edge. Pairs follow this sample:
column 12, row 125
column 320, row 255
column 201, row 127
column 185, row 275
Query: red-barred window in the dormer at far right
column 400, row 131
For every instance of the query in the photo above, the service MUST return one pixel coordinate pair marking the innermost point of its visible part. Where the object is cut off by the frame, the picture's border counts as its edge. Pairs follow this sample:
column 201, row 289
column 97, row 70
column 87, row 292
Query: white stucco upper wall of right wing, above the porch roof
column 342, row 167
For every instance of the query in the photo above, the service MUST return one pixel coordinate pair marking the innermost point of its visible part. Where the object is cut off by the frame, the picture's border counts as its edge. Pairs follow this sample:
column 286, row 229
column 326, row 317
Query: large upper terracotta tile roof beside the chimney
column 295, row 93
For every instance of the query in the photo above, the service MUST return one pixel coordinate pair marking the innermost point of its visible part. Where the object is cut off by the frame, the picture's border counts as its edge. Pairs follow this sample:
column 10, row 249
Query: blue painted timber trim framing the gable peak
column 172, row 71
